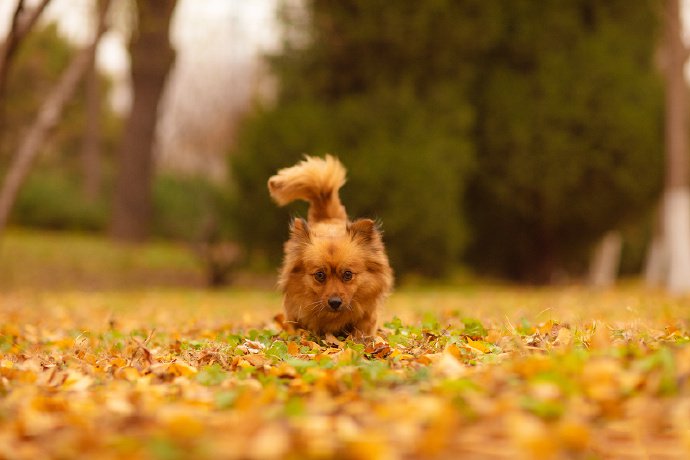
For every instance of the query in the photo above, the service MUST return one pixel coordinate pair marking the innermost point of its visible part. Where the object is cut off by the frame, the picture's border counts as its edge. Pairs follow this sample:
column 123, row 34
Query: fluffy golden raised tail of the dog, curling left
column 316, row 180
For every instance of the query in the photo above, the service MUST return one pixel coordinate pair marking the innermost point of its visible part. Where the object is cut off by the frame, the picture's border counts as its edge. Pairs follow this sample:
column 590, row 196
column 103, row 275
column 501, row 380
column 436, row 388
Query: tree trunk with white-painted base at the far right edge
column 676, row 207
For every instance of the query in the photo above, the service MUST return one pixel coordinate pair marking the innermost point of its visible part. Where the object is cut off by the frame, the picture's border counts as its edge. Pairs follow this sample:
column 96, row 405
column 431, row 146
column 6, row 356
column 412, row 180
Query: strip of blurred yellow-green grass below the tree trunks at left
column 53, row 260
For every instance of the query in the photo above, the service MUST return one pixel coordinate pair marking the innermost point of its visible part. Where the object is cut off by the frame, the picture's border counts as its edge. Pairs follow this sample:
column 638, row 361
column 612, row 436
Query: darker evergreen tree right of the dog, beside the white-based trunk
column 569, row 132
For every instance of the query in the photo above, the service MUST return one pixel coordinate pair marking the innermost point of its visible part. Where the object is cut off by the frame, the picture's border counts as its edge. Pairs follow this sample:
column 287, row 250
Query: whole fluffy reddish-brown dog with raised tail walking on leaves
column 335, row 273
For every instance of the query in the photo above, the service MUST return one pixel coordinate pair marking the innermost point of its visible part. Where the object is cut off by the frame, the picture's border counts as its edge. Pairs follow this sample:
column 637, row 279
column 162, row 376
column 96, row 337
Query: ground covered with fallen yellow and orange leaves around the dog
column 453, row 373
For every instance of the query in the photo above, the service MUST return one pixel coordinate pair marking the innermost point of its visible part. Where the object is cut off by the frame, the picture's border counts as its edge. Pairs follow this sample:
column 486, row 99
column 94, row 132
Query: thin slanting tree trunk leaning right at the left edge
column 47, row 118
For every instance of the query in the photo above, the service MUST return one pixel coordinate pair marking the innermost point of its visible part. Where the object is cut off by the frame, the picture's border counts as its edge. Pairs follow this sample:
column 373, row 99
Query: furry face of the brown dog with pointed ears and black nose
column 334, row 273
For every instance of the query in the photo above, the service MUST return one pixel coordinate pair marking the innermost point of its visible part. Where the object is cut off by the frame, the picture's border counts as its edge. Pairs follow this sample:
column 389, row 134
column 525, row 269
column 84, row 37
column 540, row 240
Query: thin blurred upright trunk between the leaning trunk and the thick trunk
column 91, row 142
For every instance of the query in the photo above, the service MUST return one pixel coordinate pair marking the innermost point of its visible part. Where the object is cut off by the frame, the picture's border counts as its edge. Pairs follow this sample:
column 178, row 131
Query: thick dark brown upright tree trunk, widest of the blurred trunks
column 151, row 57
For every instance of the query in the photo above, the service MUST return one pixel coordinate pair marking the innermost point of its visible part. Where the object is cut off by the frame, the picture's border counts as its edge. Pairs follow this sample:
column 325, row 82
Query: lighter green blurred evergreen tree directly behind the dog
column 384, row 87
